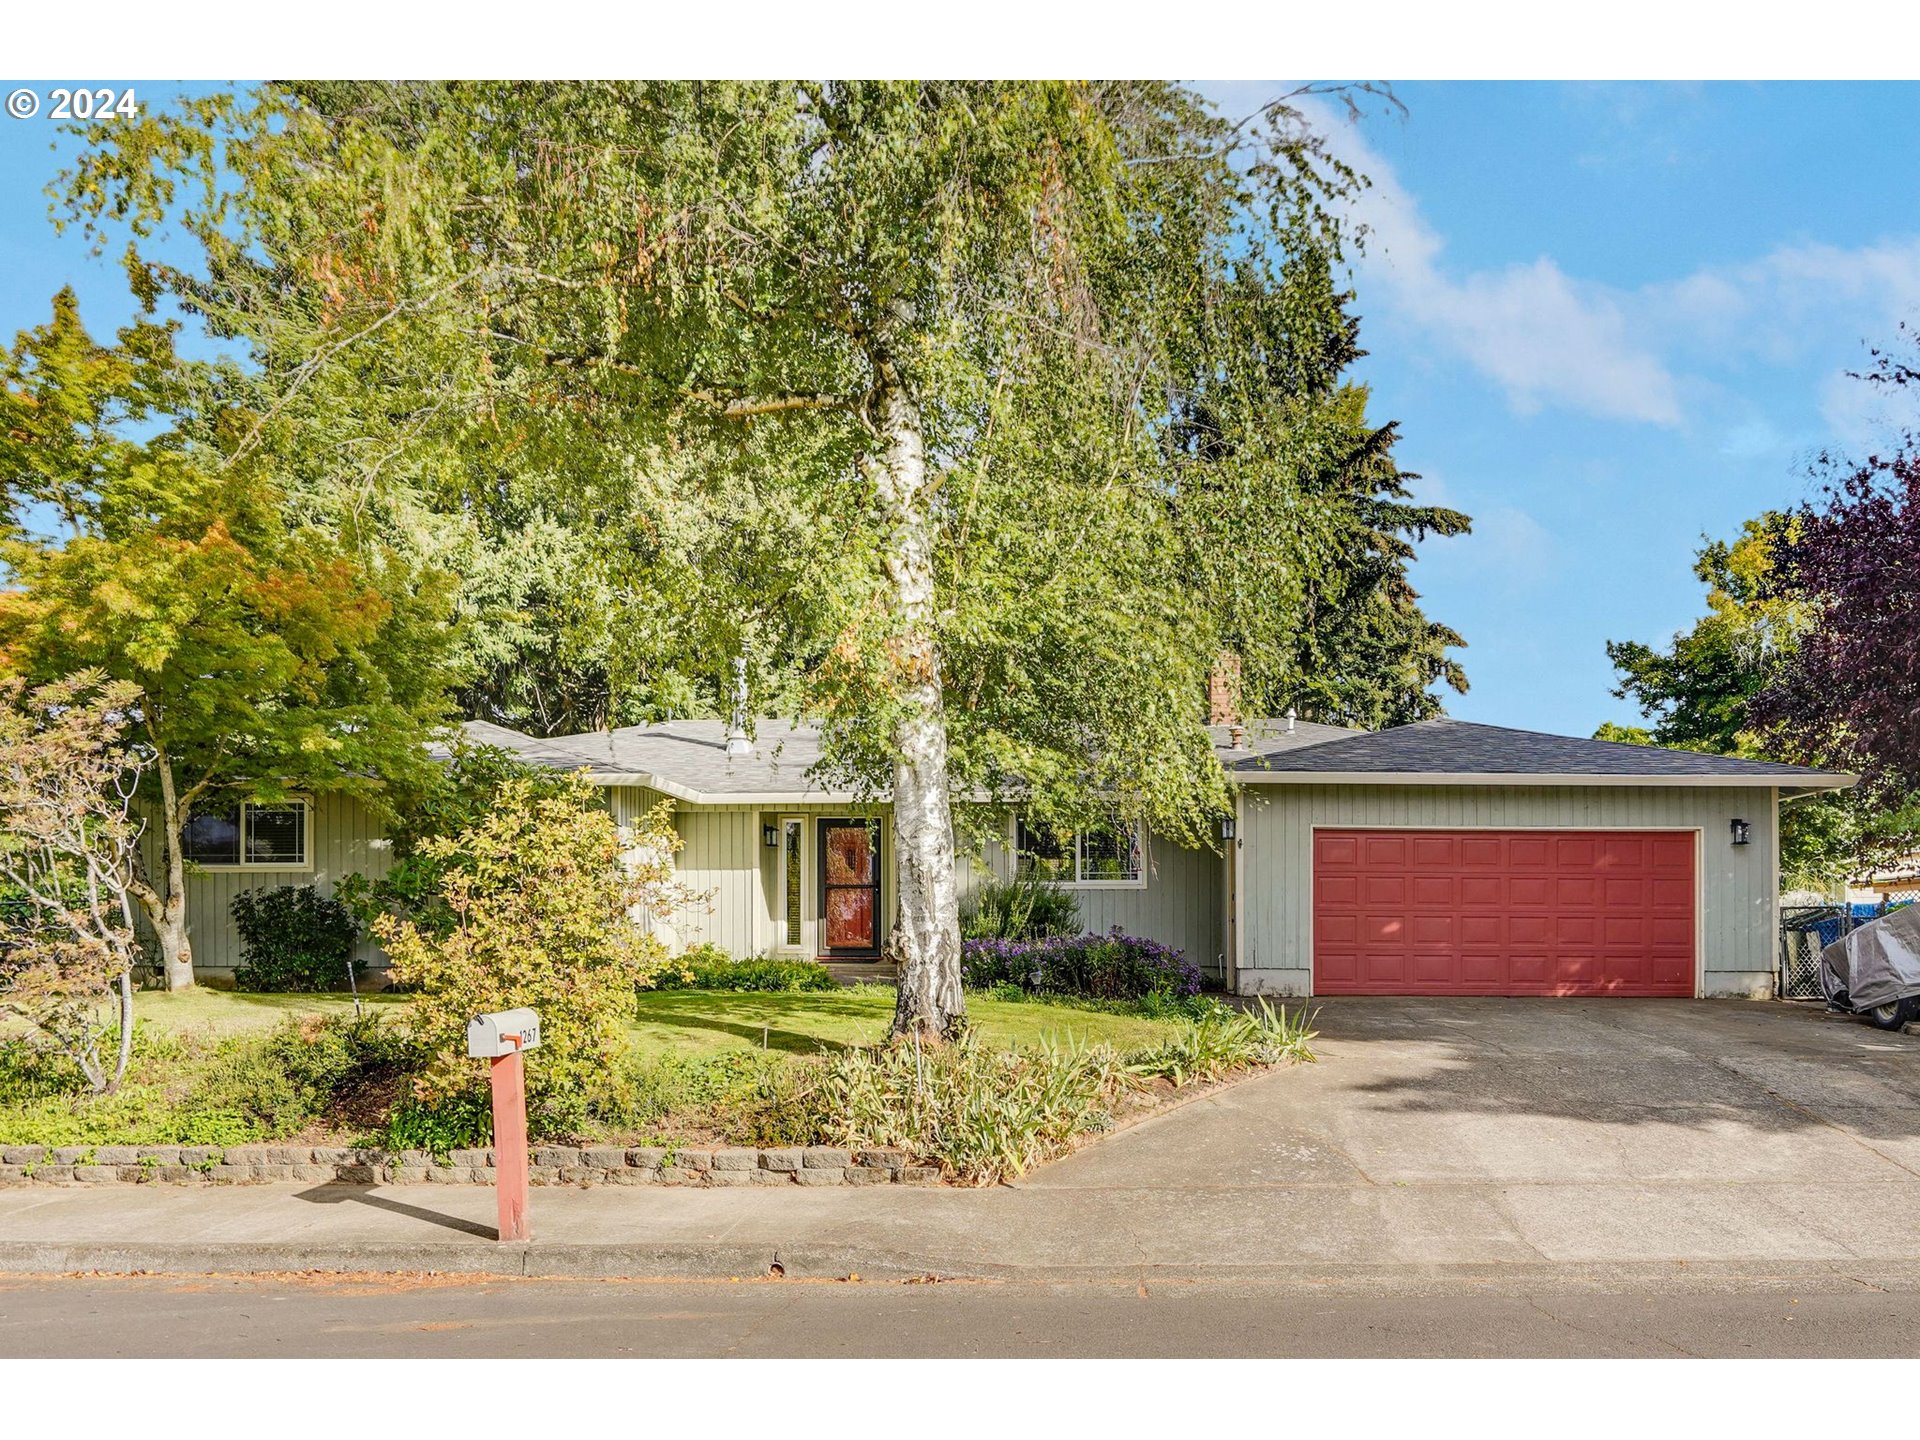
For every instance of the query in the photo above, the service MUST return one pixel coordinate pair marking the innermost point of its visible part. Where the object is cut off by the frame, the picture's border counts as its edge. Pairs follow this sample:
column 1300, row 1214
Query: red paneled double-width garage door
column 1502, row 913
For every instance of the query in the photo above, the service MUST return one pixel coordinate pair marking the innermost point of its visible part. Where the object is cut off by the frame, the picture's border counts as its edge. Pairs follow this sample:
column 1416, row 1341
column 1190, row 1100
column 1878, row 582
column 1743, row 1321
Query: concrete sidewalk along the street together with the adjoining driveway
column 1606, row 1145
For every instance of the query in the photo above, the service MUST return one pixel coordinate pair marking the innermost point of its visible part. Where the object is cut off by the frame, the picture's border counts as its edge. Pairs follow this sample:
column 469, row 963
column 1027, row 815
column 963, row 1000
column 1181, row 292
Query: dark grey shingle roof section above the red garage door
column 1460, row 748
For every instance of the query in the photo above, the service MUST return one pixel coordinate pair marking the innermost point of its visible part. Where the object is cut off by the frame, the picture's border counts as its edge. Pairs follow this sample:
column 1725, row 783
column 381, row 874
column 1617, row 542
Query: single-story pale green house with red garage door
column 1428, row 859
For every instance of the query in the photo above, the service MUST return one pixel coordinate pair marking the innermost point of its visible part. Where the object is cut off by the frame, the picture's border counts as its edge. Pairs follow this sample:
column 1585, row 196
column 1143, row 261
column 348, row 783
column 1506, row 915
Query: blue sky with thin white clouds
column 1610, row 320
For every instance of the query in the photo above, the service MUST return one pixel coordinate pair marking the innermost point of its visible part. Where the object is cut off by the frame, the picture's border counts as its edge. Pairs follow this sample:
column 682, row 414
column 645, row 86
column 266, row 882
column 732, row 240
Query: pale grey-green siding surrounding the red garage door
column 1737, row 898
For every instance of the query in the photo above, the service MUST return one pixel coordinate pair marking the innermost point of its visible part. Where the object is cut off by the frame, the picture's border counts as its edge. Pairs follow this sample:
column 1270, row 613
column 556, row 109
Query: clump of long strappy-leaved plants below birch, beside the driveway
column 982, row 1115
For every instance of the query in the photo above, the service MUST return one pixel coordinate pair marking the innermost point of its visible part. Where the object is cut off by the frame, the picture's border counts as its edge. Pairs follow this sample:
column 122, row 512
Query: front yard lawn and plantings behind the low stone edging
column 713, row 1090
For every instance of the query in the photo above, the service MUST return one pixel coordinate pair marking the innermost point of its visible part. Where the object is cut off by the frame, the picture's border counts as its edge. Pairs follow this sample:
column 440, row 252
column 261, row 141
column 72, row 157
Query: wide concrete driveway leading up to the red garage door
column 1547, row 1132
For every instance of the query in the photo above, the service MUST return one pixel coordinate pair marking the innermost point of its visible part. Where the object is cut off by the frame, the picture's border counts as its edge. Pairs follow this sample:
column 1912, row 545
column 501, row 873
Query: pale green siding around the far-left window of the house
column 343, row 840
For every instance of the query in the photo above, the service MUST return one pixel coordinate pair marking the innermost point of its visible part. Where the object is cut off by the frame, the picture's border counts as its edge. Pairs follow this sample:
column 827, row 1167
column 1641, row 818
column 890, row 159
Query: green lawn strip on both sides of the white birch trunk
column 692, row 1022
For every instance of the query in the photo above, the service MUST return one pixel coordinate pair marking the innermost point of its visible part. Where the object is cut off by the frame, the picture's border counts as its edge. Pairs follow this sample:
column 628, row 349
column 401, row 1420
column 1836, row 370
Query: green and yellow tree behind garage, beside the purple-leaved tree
column 1706, row 690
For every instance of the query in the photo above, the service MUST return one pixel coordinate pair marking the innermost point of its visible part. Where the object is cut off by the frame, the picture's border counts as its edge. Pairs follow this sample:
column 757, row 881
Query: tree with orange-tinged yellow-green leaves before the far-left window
column 254, row 654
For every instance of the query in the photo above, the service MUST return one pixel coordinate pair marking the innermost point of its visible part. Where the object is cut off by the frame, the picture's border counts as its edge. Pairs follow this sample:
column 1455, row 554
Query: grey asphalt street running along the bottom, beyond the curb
column 400, row 1316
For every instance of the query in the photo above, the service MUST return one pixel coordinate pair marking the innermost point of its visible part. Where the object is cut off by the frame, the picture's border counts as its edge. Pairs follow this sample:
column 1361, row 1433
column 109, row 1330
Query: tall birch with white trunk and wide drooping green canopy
column 890, row 389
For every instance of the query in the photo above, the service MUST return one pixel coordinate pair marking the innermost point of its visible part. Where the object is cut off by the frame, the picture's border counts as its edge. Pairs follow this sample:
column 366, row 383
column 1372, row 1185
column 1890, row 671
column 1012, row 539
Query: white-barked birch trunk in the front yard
column 928, row 936
